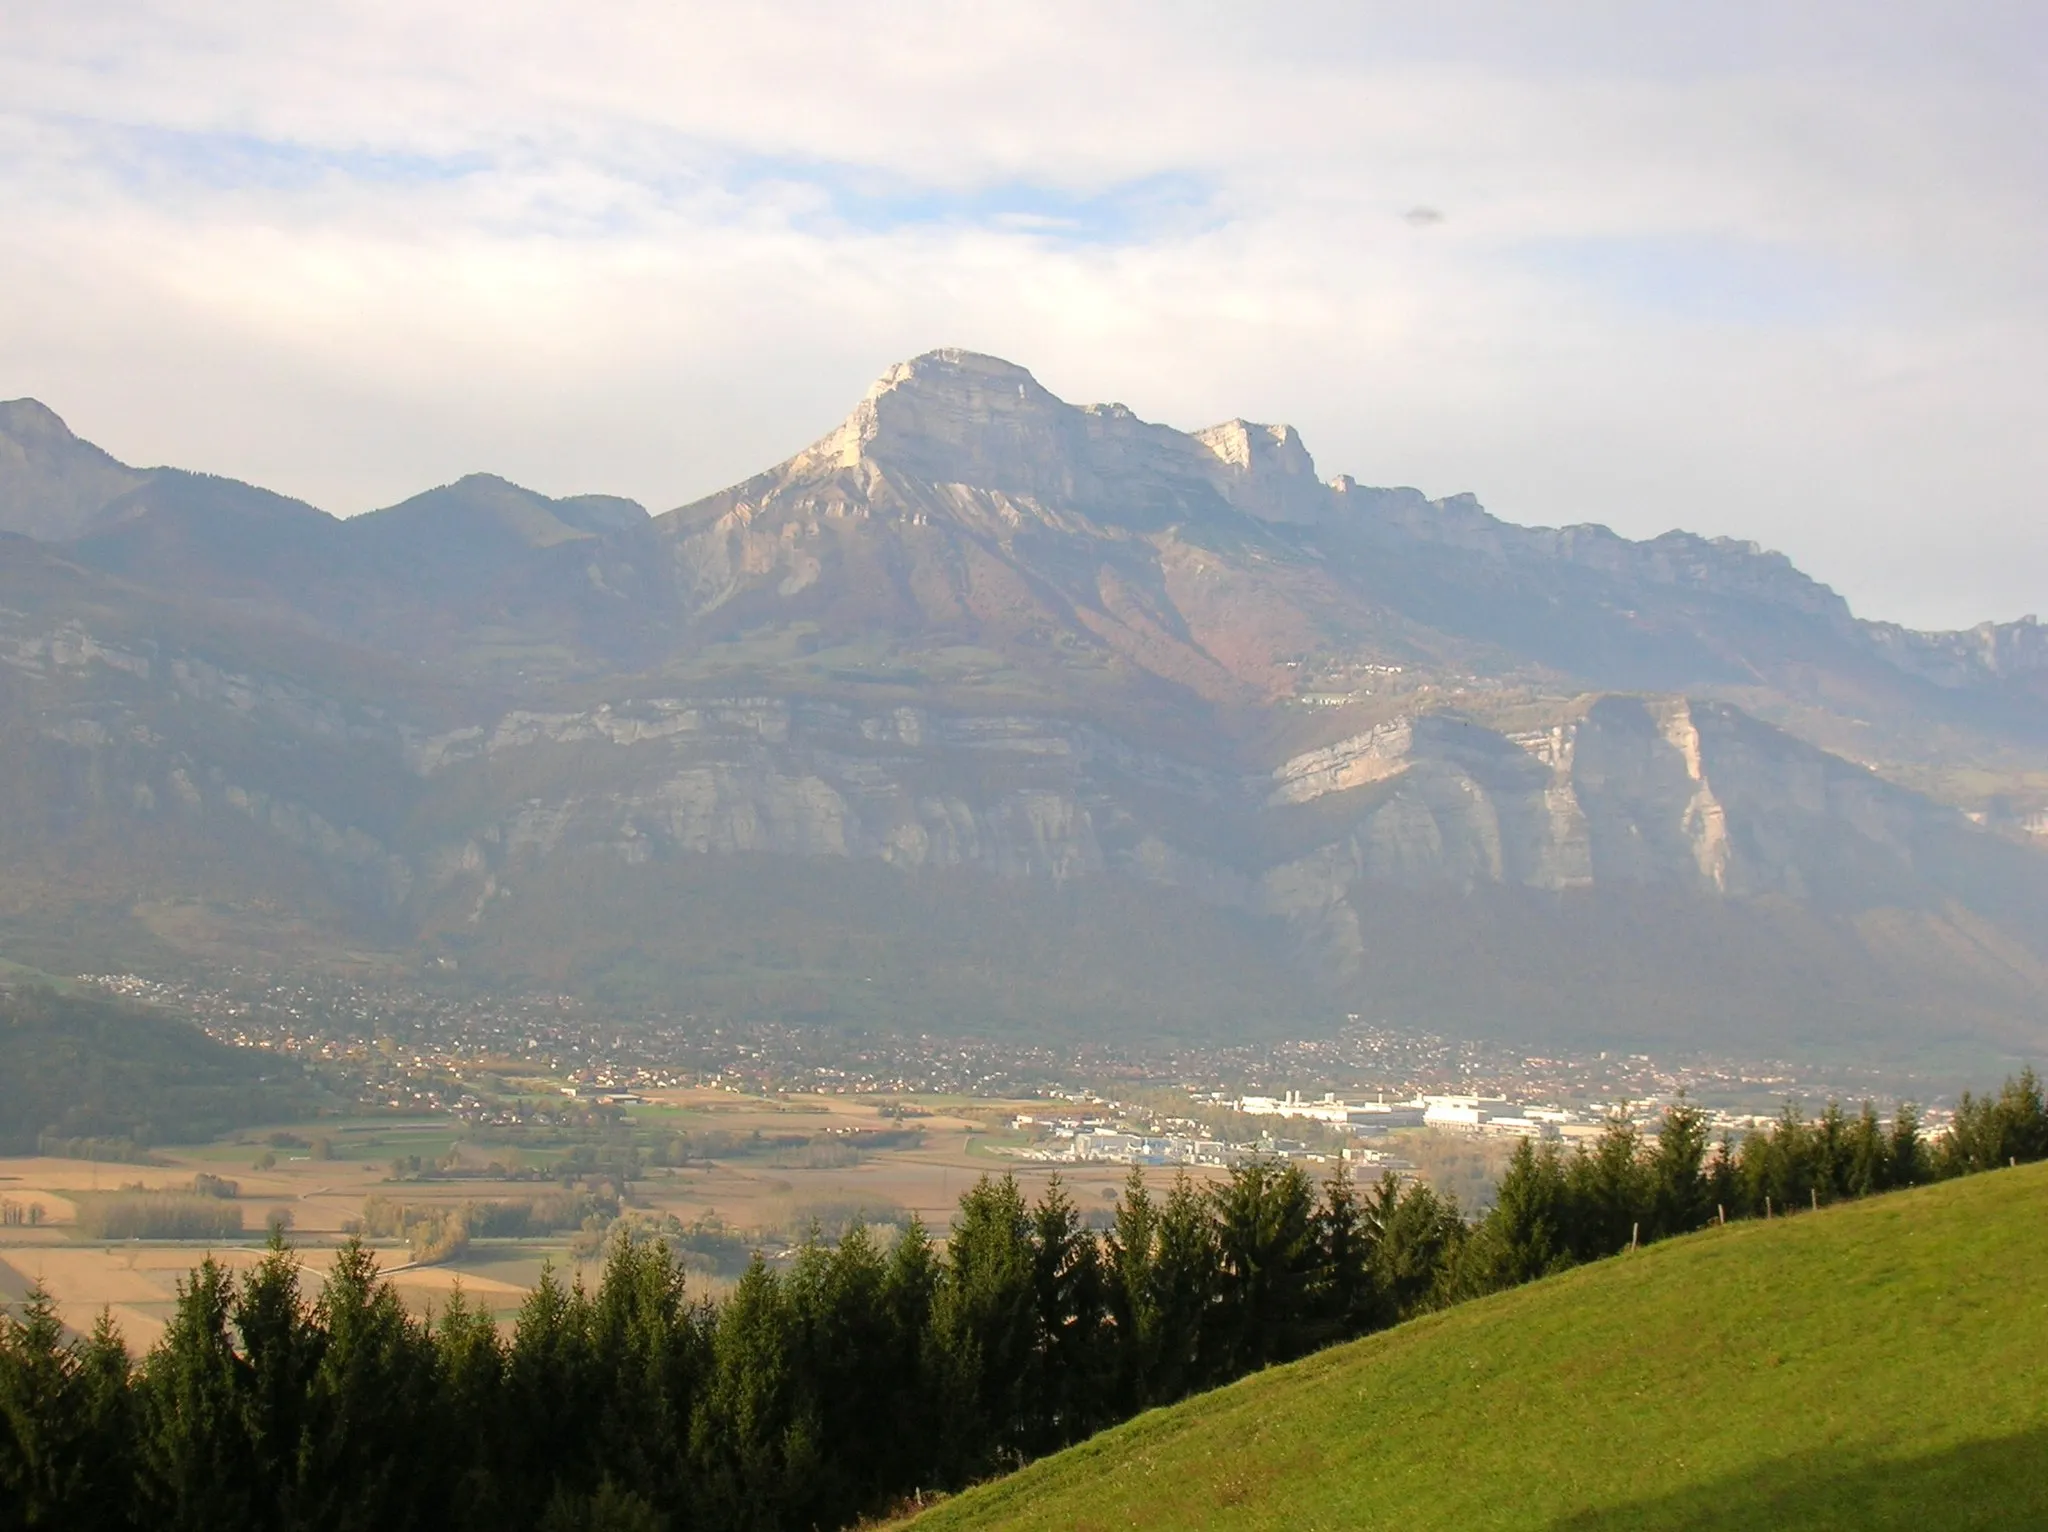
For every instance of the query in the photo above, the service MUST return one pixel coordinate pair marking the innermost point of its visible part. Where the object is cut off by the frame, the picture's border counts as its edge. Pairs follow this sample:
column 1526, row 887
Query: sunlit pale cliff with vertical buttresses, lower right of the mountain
column 1633, row 792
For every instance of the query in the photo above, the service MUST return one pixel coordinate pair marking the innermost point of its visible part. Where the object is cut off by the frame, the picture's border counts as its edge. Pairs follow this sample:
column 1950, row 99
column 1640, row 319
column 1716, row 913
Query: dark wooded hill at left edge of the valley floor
column 108, row 1080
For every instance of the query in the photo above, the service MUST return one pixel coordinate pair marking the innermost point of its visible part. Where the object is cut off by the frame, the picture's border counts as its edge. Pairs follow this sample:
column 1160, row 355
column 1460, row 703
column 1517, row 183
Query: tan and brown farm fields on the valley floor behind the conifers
column 761, row 1197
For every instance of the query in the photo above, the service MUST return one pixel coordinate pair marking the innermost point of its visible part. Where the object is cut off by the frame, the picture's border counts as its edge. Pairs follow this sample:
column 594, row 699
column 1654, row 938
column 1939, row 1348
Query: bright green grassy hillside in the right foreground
column 1879, row 1365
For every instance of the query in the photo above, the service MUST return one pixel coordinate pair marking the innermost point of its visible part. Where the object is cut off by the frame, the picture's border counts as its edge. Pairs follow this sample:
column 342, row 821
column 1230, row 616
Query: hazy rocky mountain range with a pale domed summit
column 990, row 712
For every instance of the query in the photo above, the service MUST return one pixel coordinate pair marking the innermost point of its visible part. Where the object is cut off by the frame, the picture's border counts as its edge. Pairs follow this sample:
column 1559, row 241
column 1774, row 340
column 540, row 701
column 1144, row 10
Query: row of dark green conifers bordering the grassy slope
column 859, row 1377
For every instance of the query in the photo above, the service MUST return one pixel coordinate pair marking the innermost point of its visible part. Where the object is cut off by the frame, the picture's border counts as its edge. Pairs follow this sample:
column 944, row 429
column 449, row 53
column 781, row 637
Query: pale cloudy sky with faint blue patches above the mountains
column 1758, row 269
